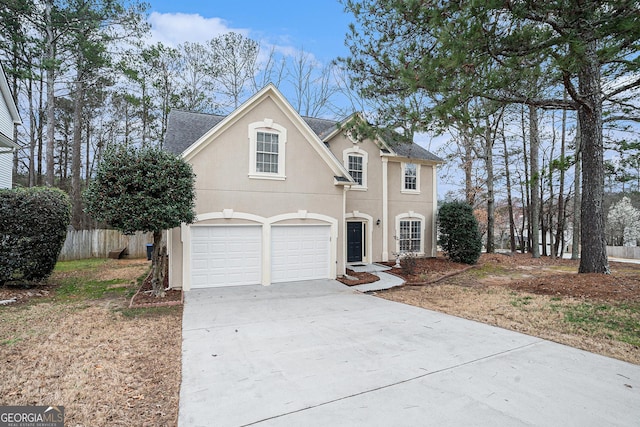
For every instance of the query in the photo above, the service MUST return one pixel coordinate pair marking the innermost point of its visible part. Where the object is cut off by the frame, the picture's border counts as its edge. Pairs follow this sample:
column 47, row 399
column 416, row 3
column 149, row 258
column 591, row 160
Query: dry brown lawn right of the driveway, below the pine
column 540, row 297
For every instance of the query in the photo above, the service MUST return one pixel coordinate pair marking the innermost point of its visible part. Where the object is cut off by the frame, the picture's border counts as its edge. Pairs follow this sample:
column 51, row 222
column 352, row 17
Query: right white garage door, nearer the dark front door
column 300, row 253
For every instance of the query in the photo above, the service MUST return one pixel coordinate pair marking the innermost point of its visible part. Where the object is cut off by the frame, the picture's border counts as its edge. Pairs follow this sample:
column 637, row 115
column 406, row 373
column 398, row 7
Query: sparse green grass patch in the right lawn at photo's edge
column 620, row 322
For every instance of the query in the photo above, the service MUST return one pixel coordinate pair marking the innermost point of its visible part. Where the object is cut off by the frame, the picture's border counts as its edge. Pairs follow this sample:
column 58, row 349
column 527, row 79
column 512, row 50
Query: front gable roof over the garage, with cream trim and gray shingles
column 187, row 133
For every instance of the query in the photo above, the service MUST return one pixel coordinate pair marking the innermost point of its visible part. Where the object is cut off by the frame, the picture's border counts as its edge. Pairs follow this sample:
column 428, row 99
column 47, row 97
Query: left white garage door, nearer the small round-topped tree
column 226, row 256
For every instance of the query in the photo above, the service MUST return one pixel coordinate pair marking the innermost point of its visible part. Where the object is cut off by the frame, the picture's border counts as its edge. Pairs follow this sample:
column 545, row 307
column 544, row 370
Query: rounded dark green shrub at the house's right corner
column 459, row 235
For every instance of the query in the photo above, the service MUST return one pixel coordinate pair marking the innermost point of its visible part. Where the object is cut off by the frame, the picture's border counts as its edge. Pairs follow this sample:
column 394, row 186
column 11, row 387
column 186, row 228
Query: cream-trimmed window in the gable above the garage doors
column 267, row 144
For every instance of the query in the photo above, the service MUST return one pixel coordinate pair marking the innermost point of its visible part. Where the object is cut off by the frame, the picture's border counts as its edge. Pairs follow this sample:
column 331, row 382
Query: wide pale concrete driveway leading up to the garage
column 317, row 353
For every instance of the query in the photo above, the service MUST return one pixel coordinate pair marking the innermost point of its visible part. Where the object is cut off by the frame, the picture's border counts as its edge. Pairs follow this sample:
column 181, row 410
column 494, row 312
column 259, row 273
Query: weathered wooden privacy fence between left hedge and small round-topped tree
column 81, row 244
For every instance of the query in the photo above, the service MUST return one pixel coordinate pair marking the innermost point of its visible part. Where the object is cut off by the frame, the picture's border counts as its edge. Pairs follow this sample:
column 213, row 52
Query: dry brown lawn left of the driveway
column 105, row 363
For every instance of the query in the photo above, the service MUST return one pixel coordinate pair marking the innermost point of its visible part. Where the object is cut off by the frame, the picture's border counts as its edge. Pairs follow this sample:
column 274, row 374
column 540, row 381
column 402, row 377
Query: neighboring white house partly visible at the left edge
column 8, row 118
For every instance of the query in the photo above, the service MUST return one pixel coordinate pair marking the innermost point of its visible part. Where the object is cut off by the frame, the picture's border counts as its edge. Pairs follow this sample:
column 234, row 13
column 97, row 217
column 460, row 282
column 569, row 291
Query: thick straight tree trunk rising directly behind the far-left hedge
column 51, row 100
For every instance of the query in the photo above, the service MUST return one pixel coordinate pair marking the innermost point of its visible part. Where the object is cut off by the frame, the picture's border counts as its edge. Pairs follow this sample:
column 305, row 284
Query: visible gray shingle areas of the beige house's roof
column 184, row 128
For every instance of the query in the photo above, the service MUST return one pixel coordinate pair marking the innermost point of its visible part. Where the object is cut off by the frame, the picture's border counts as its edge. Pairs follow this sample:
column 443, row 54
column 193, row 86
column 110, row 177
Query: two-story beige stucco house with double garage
column 282, row 197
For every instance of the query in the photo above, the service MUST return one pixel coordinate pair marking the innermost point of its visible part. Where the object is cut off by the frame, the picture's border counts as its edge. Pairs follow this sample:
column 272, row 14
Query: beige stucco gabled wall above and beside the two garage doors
column 223, row 184
